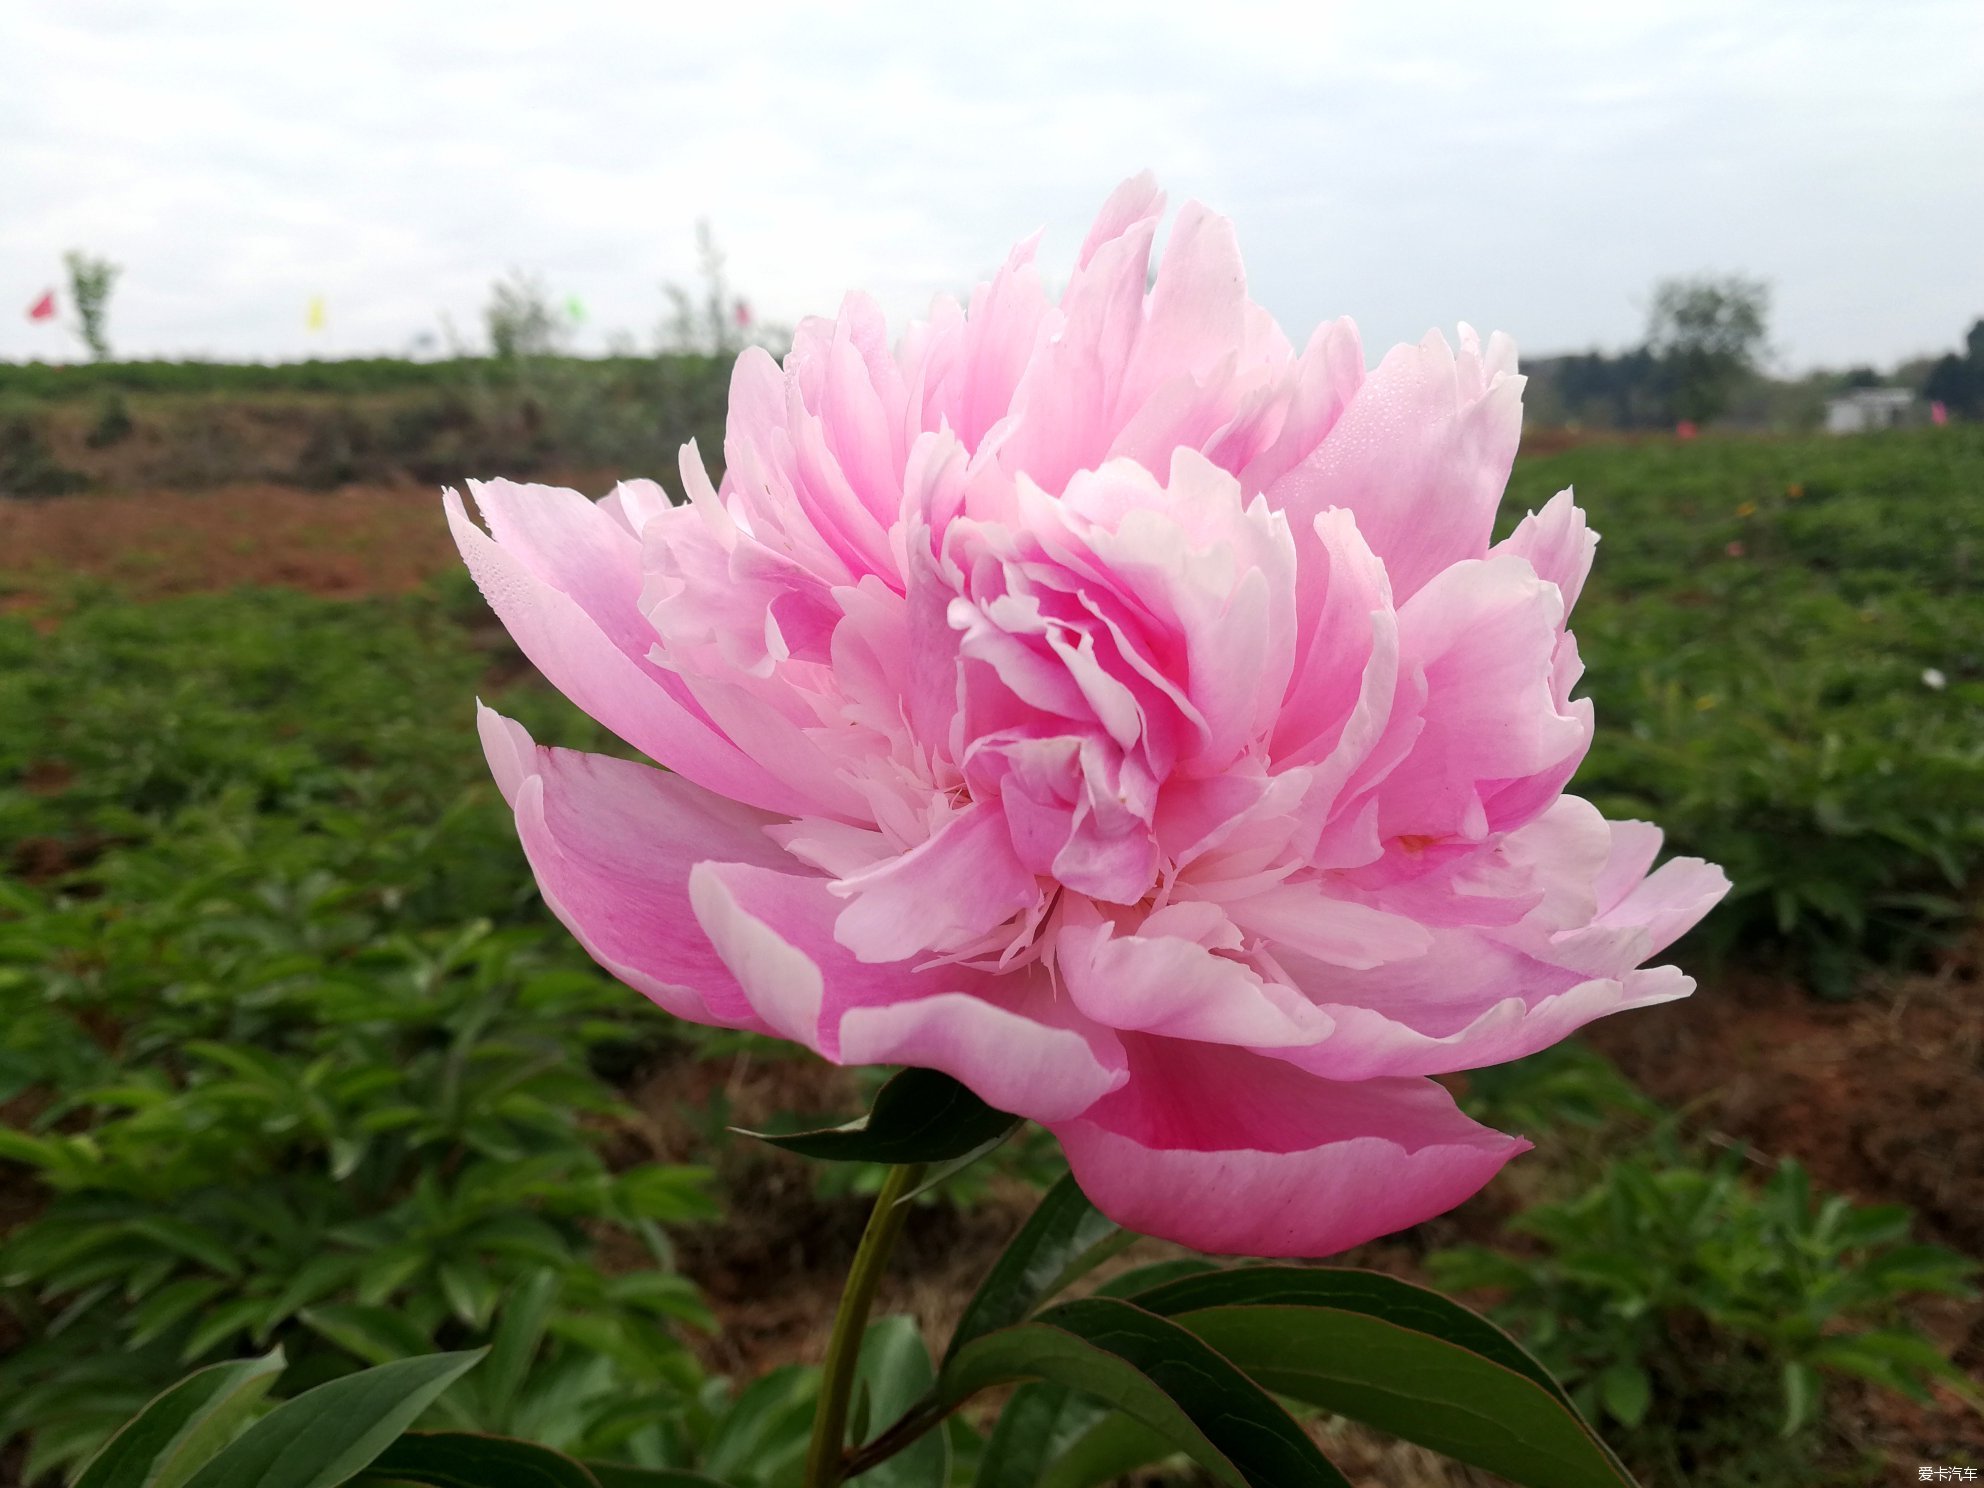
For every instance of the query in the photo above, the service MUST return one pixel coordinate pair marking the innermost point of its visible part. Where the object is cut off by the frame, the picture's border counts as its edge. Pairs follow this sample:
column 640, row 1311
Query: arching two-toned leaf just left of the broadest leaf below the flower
column 1158, row 1374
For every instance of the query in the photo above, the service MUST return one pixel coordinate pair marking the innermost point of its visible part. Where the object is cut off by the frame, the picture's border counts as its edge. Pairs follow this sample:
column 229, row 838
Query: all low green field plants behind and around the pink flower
column 293, row 1054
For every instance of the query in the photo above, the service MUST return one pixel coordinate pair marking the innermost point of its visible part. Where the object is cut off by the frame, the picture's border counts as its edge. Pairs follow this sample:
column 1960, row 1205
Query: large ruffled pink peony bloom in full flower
column 1110, row 707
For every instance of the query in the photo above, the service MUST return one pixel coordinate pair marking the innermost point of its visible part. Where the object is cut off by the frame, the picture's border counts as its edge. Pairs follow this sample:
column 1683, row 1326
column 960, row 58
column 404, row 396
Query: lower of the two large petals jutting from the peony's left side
column 612, row 846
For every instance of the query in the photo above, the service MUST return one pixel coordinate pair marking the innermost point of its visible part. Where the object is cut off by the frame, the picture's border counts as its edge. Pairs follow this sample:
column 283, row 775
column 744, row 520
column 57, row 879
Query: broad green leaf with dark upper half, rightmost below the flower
column 1398, row 1358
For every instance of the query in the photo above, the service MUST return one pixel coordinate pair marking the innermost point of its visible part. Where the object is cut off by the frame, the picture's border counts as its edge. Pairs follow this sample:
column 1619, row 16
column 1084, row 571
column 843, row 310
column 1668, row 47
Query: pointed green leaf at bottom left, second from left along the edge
column 334, row 1431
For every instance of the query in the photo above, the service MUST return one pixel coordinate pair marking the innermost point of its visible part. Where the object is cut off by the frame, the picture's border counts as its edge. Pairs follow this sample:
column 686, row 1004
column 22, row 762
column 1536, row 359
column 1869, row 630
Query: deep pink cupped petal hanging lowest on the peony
column 1235, row 1154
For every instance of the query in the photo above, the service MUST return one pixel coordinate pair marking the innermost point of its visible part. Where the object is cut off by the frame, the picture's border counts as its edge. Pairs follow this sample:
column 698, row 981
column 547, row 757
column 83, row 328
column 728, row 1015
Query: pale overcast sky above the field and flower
column 1527, row 168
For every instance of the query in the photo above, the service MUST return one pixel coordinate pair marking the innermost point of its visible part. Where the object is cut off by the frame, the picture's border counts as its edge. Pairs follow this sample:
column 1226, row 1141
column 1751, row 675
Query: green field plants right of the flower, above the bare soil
column 1787, row 648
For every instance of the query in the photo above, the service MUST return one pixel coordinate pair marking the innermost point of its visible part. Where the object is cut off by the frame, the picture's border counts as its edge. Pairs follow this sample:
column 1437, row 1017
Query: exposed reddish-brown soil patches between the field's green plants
column 1882, row 1098
